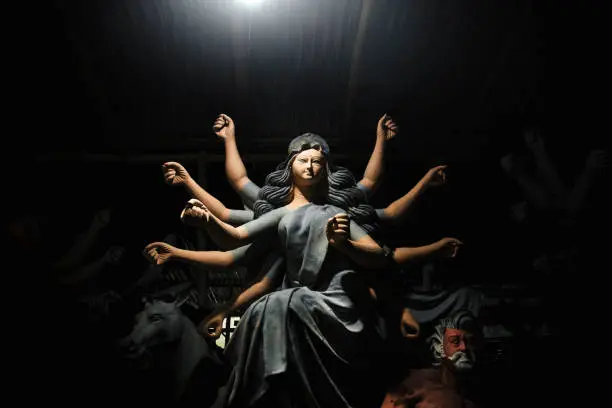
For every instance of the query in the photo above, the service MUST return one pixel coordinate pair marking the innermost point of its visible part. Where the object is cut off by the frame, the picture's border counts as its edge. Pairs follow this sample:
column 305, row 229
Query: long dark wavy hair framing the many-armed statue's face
column 340, row 190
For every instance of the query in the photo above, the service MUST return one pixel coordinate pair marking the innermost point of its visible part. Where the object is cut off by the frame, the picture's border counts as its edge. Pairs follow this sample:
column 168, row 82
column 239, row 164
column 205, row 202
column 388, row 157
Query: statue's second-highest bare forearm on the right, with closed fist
column 396, row 211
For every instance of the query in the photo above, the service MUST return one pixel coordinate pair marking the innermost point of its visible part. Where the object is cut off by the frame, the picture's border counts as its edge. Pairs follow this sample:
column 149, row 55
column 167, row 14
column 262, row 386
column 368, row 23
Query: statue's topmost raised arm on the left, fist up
column 234, row 167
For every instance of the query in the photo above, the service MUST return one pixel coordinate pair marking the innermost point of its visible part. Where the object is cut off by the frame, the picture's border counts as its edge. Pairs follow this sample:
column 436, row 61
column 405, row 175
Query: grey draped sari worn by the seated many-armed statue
column 309, row 343
